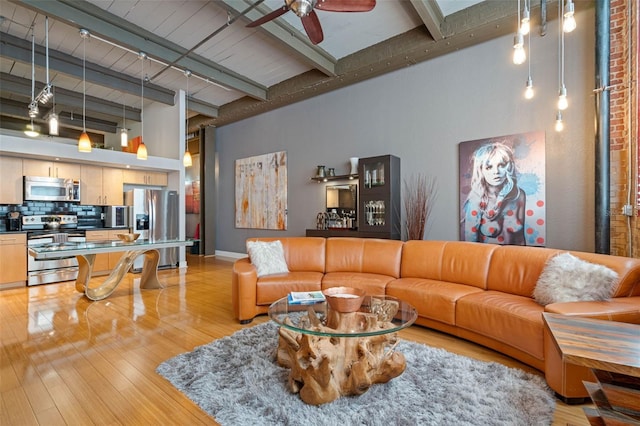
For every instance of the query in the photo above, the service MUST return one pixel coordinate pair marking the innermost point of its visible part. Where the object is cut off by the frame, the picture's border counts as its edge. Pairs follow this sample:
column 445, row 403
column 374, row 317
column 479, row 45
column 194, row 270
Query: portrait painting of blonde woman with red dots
column 502, row 190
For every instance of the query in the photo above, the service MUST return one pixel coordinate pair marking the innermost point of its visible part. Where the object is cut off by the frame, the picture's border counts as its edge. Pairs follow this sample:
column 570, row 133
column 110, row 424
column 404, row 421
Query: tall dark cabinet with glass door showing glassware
column 379, row 200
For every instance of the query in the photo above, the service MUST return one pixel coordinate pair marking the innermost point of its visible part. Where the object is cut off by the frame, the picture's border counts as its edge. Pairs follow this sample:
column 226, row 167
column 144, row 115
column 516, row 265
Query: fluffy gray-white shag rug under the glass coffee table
column 237, row 381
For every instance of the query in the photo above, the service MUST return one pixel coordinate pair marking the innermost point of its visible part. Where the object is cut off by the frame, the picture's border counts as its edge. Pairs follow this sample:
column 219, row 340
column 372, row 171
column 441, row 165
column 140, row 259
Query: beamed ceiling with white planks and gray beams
column 236, row 72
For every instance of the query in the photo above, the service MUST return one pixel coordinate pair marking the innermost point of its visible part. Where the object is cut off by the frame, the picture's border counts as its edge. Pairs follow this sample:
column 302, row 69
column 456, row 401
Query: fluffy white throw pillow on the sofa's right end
column 566, row 278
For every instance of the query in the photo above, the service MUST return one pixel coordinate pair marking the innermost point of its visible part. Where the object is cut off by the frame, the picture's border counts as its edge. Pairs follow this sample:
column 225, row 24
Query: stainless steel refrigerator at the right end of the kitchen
column 154, row 214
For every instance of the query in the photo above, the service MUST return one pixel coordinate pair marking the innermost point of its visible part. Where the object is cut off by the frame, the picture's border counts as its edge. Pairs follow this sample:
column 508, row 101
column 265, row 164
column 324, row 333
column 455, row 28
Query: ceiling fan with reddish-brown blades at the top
column 305, row 10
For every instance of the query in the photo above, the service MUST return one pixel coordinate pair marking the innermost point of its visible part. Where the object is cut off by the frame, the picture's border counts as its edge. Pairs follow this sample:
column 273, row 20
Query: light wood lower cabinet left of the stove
column 13, row 260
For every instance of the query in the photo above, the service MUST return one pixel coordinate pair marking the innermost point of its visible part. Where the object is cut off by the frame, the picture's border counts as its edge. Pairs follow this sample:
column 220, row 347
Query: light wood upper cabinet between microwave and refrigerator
column 101, row 186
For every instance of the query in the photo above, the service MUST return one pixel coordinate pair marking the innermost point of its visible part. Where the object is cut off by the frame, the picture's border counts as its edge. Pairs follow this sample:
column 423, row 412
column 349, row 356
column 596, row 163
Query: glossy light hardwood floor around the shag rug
column 67, row 360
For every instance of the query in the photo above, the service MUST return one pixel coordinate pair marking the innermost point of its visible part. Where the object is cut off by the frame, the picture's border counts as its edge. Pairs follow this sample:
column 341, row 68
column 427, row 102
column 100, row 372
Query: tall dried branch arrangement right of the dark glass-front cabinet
column 419, row 193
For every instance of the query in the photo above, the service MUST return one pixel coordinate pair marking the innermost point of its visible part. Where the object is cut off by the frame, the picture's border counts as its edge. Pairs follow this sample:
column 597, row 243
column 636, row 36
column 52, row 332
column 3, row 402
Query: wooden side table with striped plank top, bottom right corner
column 612, row 350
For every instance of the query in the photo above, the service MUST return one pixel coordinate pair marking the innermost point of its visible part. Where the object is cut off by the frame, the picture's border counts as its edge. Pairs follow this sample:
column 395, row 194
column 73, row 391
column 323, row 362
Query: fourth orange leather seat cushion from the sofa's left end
column 508, row 318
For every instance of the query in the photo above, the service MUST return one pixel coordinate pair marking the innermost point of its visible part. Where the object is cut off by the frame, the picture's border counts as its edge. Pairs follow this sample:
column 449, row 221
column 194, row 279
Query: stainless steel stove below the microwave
column 52, row 230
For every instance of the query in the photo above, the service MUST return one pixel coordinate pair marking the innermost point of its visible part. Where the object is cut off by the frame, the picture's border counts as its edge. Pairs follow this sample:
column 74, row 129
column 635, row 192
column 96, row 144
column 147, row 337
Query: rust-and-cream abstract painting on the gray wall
column 261, row 191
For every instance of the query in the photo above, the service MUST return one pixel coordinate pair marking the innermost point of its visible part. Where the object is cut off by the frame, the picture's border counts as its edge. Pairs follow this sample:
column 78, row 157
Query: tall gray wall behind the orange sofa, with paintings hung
column 421, row 114
